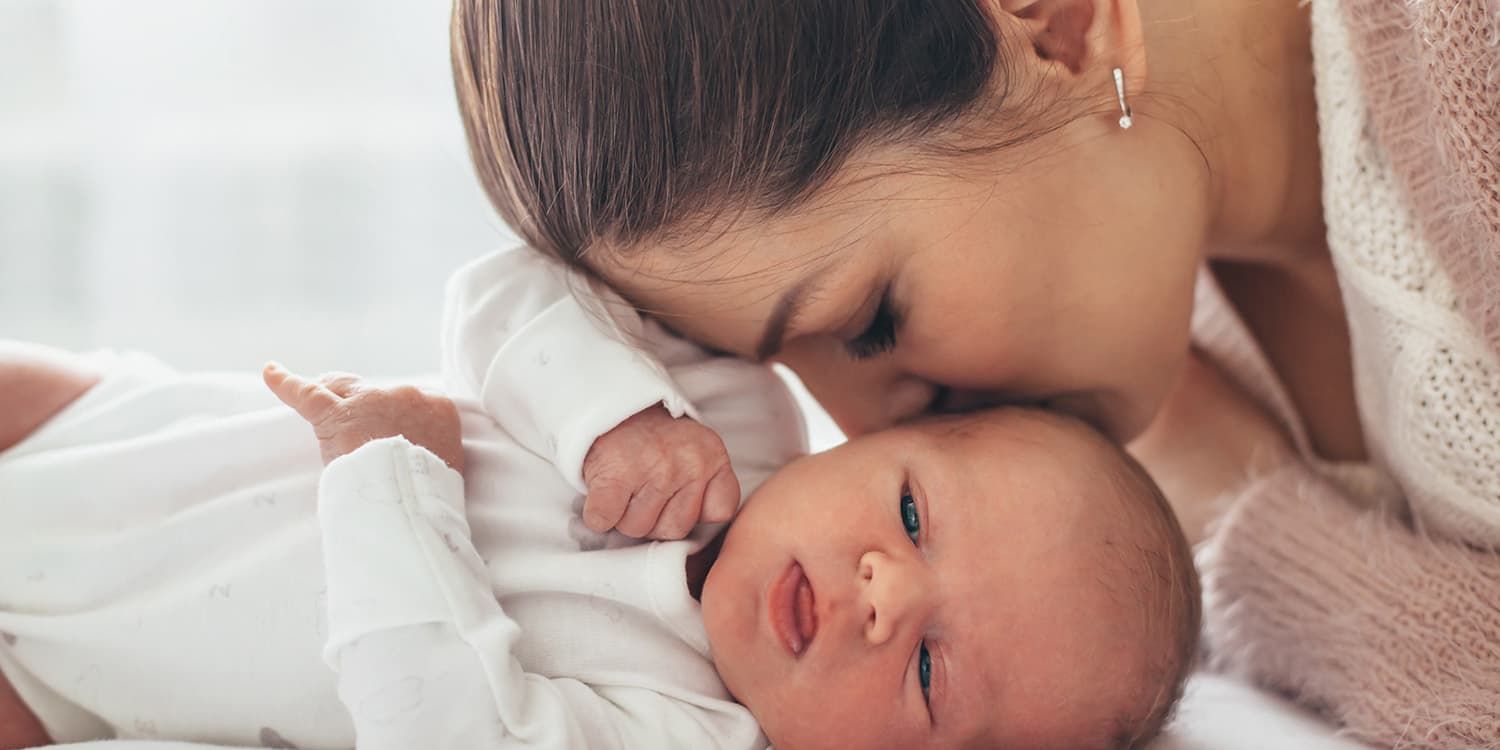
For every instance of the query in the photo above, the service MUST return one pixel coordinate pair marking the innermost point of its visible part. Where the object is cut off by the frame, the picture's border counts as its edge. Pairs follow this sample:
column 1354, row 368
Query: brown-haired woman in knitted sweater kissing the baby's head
column 943, row 206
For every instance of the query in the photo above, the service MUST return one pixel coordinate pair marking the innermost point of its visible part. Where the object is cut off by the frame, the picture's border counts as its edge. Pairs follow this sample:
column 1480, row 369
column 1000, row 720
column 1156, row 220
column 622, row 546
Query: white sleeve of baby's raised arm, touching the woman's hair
column 550, row 356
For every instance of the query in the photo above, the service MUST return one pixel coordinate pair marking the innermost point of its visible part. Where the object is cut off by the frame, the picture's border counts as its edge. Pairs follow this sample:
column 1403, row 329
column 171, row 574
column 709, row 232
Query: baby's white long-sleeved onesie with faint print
column 176, row 563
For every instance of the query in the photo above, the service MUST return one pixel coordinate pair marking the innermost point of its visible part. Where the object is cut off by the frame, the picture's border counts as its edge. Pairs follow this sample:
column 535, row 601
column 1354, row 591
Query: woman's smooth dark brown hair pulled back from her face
column 611, row 122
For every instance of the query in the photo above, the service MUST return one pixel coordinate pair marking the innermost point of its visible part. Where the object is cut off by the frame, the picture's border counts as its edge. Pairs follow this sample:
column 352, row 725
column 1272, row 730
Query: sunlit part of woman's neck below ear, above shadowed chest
column 1238, row 80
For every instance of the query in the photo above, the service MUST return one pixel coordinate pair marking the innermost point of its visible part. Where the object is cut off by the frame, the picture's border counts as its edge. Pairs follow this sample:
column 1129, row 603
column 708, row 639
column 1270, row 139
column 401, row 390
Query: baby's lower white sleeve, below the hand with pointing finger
column 419, row 643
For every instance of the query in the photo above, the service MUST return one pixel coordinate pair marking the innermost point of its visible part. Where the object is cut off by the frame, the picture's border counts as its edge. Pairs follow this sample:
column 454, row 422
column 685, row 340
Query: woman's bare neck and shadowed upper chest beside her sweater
column 1237, row 77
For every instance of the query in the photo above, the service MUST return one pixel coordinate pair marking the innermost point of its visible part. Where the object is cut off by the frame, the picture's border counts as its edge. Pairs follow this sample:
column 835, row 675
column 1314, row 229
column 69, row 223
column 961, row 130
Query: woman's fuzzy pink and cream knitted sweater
column 1373, row 592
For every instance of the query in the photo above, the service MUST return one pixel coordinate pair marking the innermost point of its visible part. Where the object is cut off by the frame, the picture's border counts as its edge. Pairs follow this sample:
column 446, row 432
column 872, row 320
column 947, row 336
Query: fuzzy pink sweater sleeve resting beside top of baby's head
column 1390, row 634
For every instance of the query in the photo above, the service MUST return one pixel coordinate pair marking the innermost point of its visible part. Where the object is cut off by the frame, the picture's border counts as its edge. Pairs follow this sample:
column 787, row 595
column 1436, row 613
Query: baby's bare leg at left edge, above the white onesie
column 35, row 385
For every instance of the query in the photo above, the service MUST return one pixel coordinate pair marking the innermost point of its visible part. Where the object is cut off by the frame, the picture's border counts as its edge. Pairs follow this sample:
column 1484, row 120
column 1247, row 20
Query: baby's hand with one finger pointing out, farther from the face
column 346, row 413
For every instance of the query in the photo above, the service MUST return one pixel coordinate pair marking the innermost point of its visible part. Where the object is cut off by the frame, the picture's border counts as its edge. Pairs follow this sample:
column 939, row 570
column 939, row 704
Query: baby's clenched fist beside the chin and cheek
column 656, row 476
